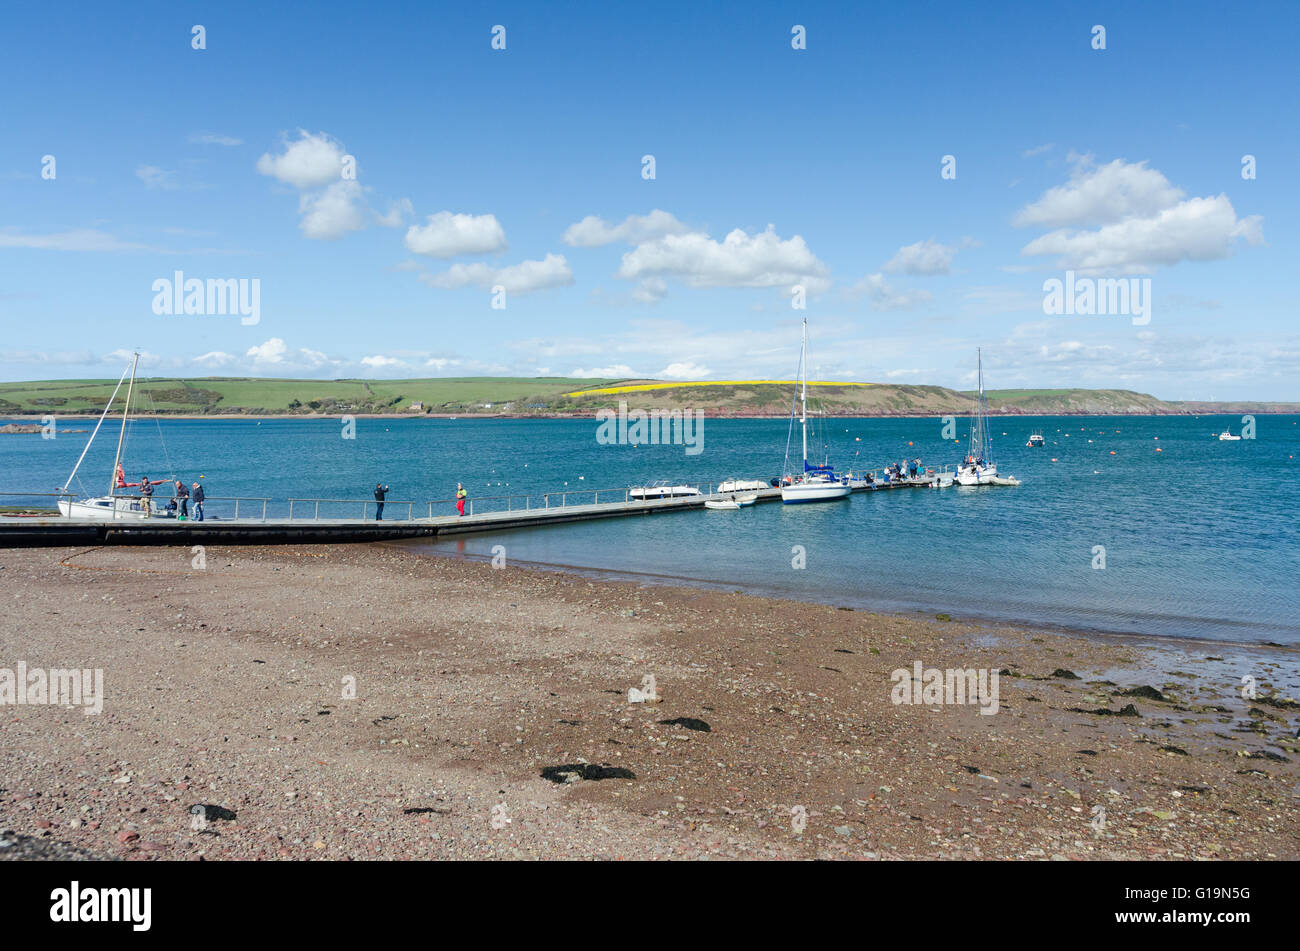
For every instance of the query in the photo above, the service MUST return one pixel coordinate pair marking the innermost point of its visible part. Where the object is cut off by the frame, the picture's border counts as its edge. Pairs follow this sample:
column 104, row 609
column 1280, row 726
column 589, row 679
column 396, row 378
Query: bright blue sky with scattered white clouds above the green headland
column 522, row 168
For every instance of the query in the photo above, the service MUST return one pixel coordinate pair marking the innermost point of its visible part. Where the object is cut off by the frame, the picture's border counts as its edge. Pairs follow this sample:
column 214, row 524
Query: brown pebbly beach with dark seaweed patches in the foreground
column 224, row 691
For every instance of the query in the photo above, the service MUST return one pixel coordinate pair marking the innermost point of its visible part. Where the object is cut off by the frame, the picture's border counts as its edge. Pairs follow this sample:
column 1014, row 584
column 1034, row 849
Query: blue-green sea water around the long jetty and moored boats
column 1201, row 540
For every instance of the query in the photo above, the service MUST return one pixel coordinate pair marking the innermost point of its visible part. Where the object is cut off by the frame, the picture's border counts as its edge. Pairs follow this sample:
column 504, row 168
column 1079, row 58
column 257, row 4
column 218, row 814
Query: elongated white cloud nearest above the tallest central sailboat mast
column 739, row 260
